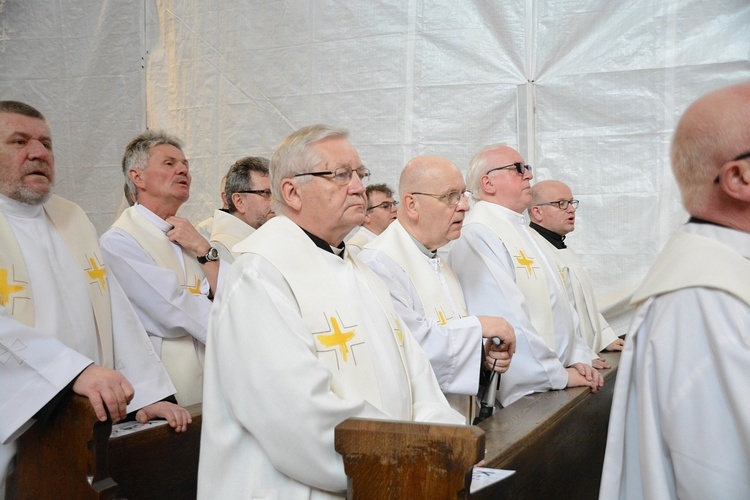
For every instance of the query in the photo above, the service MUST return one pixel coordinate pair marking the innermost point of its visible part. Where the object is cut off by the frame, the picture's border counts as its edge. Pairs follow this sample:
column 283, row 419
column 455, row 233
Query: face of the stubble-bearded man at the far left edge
column 27, row 164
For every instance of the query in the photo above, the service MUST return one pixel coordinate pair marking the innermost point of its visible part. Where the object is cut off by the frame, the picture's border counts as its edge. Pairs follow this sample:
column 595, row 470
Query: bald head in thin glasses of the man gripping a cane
column 427, row 187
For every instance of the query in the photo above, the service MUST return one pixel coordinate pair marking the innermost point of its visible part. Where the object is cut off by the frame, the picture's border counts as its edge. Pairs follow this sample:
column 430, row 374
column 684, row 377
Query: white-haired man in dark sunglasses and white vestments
column 504, row 273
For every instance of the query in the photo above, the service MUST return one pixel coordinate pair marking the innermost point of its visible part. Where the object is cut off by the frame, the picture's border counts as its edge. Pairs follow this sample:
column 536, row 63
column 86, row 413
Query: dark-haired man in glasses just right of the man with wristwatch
column 248, row 196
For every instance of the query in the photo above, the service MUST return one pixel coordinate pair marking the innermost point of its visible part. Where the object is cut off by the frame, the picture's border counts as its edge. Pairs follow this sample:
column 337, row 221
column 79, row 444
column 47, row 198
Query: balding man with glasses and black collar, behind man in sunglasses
column 552, row 213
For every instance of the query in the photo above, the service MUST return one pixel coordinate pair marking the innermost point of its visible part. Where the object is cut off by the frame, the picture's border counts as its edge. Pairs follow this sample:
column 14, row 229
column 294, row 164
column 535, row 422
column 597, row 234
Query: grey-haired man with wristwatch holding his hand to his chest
column 167, row 269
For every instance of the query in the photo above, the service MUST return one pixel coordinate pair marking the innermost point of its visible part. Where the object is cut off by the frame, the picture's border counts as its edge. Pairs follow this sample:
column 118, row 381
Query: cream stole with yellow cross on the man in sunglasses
column 529, row 272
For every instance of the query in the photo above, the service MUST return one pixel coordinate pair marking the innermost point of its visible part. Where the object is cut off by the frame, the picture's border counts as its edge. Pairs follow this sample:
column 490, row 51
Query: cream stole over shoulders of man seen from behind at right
column 684, row 263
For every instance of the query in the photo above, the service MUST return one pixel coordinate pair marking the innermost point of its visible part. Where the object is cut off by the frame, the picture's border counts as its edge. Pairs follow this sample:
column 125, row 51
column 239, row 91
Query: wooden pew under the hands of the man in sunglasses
column 555, row 441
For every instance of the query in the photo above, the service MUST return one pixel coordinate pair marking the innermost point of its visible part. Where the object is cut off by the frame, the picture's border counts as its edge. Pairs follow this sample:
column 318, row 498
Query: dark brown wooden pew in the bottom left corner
column 72, row 456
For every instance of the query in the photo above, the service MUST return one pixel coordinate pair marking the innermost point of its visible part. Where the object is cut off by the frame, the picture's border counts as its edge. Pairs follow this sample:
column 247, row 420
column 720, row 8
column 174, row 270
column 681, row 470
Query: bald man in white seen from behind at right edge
column 680, row 422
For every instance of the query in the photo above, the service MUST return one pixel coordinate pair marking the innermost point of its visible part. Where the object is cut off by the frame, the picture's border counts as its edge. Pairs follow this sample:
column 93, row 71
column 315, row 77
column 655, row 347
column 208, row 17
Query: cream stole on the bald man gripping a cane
column 397, row 244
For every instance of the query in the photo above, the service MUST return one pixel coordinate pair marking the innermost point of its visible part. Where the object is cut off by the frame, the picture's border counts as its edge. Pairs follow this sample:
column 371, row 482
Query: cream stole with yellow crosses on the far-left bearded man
column 81, row 239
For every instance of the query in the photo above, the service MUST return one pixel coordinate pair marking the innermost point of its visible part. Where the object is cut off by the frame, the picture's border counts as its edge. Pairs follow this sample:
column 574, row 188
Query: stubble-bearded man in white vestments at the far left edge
column 65, row 323
